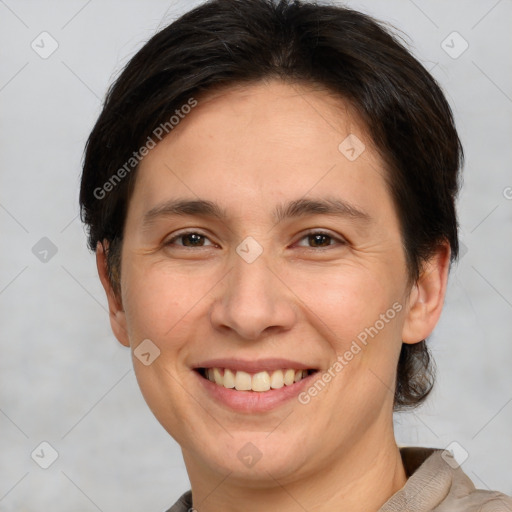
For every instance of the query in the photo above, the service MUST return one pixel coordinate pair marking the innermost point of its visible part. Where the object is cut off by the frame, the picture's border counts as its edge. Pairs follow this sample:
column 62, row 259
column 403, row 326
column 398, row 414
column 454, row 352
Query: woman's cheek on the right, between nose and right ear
column 357, row 312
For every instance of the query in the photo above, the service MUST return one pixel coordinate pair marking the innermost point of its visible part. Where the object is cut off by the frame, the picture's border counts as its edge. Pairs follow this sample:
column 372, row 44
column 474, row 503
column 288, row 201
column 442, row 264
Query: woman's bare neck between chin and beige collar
column 360, row 479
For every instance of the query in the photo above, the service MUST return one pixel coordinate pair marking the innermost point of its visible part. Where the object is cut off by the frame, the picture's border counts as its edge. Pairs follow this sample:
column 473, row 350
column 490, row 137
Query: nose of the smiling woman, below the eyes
column 253, row 301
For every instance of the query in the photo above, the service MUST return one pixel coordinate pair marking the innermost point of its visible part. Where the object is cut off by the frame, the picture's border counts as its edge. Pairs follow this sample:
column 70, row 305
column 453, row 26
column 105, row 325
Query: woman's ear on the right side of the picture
column 426, row 298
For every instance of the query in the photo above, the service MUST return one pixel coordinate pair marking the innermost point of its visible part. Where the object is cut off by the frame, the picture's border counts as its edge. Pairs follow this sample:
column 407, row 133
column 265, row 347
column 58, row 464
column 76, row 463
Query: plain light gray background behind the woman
column 66, row 380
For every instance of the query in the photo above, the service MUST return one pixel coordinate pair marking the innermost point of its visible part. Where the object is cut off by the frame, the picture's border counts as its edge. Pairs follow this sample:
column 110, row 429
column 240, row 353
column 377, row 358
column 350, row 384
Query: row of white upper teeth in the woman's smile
column 262, row 381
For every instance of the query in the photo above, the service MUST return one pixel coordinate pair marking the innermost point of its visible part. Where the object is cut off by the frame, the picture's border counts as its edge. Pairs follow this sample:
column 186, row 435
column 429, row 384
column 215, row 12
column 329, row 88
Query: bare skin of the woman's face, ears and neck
column 249, row 148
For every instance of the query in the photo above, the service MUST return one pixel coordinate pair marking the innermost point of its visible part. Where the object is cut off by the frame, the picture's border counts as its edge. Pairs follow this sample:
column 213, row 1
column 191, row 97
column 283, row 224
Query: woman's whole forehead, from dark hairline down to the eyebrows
column 256, row 145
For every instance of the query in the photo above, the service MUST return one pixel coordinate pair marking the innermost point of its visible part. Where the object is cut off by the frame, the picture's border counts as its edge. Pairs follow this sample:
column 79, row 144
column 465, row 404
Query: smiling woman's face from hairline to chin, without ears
column 297, row 274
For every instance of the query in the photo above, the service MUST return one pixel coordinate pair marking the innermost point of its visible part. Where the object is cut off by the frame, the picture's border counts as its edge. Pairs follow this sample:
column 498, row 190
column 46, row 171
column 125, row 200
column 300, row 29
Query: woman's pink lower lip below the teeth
column 253, row 401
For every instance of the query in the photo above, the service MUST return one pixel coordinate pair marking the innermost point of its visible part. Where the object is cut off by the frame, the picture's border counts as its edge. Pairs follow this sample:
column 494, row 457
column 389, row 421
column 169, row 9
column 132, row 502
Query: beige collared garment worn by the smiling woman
column 435, row 483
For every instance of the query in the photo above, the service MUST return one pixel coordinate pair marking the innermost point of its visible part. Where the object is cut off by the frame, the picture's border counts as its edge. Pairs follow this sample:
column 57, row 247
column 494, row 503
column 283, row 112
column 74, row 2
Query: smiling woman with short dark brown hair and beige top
column 270, row 190
